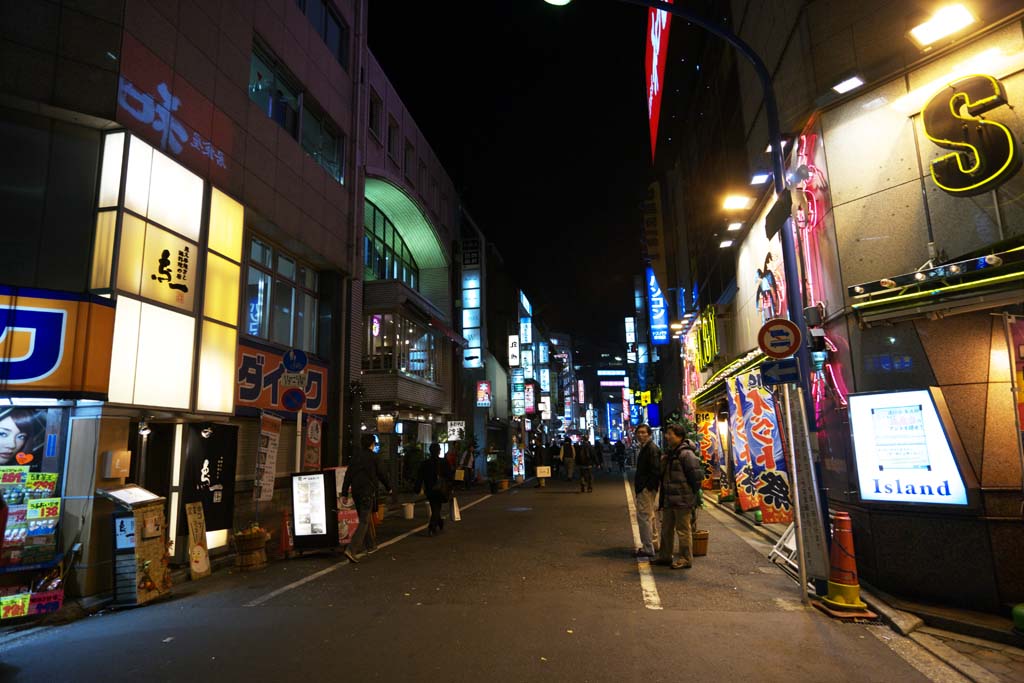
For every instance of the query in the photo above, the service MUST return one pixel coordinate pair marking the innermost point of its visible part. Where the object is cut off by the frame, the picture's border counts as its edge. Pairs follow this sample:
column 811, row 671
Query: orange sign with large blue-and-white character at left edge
column 55, row 343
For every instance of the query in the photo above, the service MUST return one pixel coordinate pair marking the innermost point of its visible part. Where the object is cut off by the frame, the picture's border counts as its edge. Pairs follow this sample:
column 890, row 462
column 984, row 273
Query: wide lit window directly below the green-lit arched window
column 398, row 345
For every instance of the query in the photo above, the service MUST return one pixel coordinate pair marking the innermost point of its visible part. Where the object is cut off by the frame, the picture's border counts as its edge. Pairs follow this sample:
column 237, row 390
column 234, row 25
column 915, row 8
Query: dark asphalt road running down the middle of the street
column 533, row 584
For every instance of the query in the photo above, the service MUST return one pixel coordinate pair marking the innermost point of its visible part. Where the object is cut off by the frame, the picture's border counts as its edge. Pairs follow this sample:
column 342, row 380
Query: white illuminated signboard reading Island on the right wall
column 903, row 450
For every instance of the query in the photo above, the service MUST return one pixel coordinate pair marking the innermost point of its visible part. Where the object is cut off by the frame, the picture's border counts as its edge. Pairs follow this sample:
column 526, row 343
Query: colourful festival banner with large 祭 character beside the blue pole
column 769, row 482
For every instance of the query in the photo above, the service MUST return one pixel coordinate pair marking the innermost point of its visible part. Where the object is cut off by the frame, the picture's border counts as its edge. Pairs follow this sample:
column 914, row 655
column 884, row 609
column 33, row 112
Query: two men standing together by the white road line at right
column 670, row 480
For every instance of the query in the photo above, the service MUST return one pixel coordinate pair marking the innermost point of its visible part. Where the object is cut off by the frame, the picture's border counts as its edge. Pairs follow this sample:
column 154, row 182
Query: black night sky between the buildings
column 539, row 115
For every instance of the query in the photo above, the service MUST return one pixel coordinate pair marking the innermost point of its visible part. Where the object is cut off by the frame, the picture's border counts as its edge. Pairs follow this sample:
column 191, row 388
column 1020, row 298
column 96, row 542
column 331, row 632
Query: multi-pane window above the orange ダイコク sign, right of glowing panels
column 281, row 298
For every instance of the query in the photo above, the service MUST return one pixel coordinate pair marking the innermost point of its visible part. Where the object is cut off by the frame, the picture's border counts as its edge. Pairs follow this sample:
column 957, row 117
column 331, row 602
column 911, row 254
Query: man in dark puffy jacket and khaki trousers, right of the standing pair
column 681, row 476
